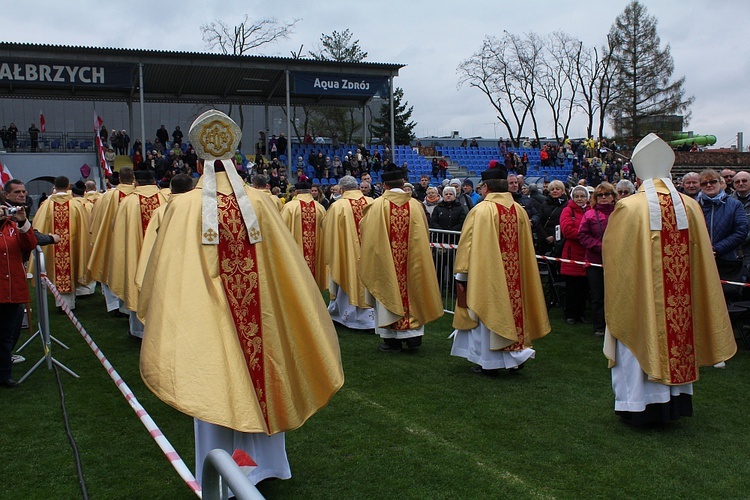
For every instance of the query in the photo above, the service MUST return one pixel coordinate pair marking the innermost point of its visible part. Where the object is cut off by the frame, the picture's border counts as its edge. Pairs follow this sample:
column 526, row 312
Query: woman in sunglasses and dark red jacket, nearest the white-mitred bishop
column 590, row 234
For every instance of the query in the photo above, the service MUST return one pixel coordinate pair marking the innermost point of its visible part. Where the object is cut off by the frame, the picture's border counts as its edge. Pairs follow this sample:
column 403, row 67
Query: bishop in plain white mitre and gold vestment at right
column 665, row 309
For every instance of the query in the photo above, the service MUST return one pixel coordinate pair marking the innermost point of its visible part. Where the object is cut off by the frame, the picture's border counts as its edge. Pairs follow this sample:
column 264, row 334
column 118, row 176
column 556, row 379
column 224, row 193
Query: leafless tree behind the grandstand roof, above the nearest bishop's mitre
column 245, row 37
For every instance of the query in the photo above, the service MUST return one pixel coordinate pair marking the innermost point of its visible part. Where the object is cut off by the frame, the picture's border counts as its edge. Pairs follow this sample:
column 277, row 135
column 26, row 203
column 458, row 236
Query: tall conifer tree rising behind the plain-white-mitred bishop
column 643, row 72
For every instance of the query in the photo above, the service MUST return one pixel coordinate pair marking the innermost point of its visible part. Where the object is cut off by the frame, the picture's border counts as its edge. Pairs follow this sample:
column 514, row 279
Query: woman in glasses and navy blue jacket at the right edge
column 727, row 226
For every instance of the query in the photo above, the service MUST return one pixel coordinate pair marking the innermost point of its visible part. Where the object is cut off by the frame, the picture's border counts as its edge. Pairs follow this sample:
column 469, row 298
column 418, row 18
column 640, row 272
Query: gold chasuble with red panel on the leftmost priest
column 65, row 216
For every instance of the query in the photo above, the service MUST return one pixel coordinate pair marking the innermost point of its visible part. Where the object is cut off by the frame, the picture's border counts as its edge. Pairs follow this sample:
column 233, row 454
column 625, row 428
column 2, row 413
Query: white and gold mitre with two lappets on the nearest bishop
column 215, row 136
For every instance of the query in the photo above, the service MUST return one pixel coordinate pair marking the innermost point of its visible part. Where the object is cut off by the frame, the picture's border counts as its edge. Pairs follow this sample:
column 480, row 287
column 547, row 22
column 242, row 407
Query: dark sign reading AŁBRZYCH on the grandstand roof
column 22, row 73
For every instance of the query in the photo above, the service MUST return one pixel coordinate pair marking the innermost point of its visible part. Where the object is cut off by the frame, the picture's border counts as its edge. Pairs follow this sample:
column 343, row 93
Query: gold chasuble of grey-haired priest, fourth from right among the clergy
column 342, row 237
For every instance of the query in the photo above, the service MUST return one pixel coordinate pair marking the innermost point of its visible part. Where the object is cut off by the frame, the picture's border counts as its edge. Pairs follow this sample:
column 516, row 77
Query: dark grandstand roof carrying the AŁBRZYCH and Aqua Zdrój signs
column 65, row 72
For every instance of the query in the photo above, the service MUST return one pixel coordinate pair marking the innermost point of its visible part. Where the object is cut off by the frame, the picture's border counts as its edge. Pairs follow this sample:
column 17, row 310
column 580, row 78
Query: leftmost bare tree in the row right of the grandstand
column 503, row 70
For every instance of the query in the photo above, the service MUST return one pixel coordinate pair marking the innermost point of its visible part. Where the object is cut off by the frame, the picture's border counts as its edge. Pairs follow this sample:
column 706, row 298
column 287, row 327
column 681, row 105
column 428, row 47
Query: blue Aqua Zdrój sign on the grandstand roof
column 329, row 84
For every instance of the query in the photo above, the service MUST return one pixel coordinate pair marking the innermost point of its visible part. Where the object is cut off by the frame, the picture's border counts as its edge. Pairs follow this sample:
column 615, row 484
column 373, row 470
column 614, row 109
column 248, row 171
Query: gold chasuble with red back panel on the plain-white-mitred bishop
column 663, row 298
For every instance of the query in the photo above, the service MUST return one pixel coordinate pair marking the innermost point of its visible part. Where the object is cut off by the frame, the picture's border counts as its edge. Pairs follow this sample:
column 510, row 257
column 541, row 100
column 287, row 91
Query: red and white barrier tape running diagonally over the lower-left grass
column 146, row 420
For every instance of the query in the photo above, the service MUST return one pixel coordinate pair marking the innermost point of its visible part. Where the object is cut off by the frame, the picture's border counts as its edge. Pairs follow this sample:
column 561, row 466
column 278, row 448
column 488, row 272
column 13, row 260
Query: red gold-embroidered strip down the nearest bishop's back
column 239, row 276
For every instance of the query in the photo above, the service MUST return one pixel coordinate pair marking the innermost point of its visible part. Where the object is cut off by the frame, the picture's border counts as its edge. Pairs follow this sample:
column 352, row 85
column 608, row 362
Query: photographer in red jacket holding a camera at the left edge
column 16, row 239
